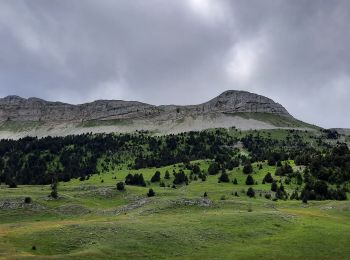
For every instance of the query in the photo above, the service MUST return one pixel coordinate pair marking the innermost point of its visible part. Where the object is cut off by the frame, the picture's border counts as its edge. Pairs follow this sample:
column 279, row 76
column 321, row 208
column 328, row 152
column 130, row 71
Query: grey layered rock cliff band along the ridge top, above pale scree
column 14, row 108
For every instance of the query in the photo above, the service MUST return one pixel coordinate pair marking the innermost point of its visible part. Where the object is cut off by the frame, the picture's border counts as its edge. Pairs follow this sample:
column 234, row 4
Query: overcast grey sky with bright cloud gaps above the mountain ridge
column 296, row 52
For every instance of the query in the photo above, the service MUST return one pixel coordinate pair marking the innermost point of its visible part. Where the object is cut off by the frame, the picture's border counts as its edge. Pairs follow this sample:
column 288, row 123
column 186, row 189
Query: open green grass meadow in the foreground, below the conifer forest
column 92, row 220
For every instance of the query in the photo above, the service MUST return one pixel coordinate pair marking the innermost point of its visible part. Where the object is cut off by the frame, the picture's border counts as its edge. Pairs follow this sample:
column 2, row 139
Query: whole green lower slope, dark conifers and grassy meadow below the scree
column 220, row 193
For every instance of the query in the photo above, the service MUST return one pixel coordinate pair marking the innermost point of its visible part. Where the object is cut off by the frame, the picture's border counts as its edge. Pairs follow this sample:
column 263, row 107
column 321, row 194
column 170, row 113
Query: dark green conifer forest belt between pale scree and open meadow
column 40, row 161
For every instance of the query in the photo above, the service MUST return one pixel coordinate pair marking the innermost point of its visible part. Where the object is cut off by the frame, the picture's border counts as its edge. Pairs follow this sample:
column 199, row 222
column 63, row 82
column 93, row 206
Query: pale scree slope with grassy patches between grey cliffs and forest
column 244, row 121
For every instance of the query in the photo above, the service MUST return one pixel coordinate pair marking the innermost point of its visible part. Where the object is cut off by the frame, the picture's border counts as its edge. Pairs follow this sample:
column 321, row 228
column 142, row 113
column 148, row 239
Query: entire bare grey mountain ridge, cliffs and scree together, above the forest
column 21, row 117
